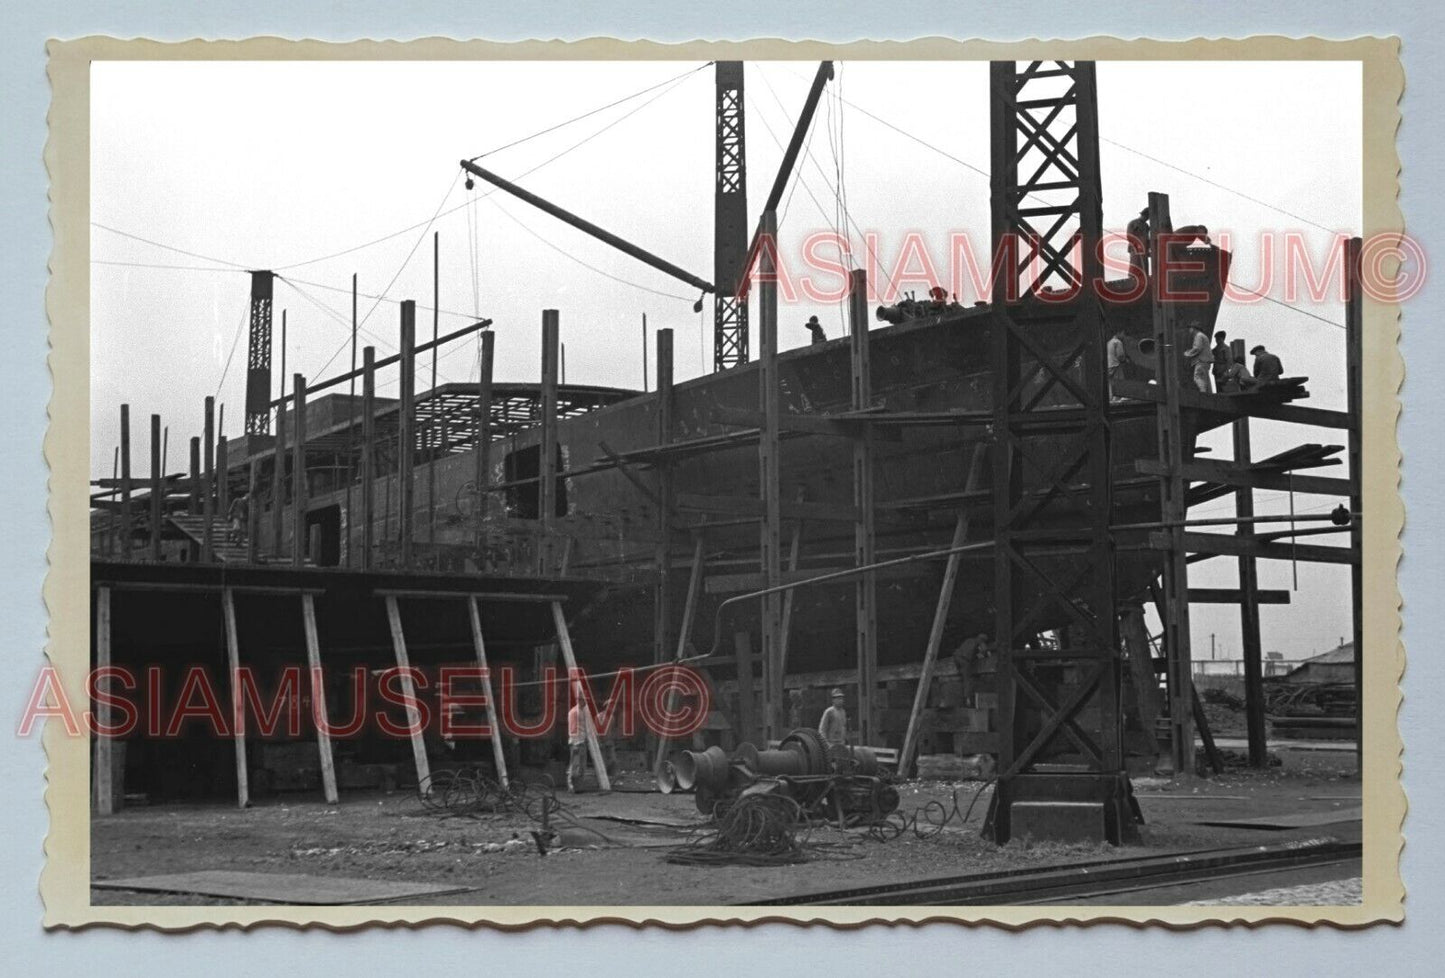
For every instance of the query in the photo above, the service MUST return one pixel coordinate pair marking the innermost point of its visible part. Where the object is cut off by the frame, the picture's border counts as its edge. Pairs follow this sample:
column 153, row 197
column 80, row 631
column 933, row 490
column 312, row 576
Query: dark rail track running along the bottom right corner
column 1095, row 879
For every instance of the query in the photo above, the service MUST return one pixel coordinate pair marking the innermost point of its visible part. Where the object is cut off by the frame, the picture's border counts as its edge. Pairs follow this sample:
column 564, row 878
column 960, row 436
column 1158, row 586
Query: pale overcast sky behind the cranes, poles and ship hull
column 275, row 165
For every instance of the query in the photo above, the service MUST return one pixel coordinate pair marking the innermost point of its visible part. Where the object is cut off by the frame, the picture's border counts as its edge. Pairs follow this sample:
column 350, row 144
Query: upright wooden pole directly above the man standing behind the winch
column 866, row 589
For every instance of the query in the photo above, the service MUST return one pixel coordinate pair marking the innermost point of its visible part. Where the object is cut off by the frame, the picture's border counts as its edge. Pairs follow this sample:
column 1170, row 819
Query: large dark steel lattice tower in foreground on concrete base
column 1054, row 558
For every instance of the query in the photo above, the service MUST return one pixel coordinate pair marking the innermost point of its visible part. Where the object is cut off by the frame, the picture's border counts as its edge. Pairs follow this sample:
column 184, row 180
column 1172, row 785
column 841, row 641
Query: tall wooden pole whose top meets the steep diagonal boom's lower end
column 769, row 488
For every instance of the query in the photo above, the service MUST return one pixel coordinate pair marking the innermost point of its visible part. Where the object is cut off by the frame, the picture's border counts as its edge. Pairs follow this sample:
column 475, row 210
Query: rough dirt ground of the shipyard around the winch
column 493, row 857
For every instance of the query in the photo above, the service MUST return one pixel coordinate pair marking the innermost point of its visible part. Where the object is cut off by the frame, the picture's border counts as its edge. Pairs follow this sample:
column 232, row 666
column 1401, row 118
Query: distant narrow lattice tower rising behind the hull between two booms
column 730, row 220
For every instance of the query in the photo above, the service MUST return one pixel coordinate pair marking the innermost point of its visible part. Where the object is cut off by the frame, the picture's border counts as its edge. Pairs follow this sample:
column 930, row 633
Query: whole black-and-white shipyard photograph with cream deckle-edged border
column 693, row 486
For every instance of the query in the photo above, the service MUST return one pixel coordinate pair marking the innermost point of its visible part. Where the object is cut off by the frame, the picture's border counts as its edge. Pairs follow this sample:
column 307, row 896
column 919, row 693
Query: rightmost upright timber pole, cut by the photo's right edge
column 1355, row 408
